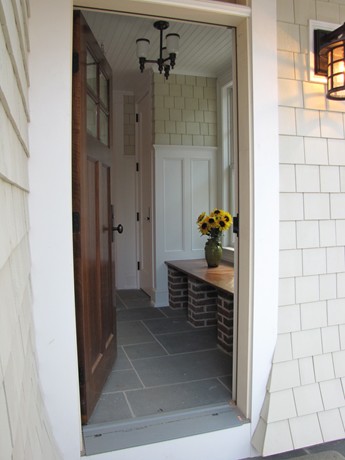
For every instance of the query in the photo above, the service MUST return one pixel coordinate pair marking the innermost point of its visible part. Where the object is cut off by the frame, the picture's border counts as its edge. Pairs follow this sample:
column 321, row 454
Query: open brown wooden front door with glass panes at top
column 92, row 217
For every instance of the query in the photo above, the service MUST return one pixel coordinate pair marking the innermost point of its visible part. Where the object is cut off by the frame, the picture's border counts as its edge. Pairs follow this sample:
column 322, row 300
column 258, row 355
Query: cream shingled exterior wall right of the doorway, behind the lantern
column 305, row 402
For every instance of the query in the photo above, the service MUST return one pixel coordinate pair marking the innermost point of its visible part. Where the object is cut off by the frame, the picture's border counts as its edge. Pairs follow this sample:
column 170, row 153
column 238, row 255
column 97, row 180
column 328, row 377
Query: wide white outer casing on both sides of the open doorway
column 50, row 201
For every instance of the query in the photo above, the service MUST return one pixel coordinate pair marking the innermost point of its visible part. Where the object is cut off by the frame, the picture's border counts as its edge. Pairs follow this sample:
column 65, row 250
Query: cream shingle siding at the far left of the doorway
column 24, row 430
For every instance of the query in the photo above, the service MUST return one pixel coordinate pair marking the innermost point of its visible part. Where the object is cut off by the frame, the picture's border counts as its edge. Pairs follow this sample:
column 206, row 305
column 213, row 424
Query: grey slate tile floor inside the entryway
column 164, row 364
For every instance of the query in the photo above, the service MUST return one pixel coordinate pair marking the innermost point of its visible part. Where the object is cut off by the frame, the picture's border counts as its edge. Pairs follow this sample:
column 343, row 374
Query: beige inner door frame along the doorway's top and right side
column 237, row 16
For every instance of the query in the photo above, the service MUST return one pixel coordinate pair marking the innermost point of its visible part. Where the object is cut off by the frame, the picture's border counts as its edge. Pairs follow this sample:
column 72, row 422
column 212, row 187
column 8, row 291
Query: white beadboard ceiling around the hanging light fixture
column 204, row 50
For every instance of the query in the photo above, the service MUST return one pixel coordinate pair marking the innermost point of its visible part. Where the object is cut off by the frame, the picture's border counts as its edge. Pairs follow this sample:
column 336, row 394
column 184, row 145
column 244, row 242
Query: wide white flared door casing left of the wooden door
column 51, row 216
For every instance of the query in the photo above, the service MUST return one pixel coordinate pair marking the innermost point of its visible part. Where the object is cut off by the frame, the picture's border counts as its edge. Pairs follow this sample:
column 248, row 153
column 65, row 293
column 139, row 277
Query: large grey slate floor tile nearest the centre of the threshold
column 177, row 397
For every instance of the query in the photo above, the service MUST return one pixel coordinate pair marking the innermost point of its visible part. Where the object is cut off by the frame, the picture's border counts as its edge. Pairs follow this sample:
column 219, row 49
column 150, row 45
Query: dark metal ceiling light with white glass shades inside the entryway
column 167, row 54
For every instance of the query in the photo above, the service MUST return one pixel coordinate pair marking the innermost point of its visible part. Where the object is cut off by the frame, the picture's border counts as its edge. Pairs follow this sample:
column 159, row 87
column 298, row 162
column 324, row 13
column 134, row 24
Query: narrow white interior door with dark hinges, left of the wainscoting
column 145, row 189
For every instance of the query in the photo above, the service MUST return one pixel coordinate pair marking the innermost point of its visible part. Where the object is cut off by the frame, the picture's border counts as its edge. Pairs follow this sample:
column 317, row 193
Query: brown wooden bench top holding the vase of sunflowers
column 221, row 277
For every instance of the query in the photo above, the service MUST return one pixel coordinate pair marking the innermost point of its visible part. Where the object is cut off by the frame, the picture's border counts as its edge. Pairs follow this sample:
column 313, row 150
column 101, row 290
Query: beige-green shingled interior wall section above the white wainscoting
column 184, row 110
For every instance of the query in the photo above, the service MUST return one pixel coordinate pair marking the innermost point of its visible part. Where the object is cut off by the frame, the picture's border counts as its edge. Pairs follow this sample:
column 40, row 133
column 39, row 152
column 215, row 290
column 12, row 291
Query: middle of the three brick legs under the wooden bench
column 202, row 303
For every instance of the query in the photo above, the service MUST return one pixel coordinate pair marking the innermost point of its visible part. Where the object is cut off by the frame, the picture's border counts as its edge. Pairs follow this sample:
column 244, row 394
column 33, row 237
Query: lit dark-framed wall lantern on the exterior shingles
column 329, row 51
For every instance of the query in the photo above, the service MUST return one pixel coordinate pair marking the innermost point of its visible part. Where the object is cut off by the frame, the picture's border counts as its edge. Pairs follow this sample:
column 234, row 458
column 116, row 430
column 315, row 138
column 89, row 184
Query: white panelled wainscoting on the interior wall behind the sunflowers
column 185, row 186
